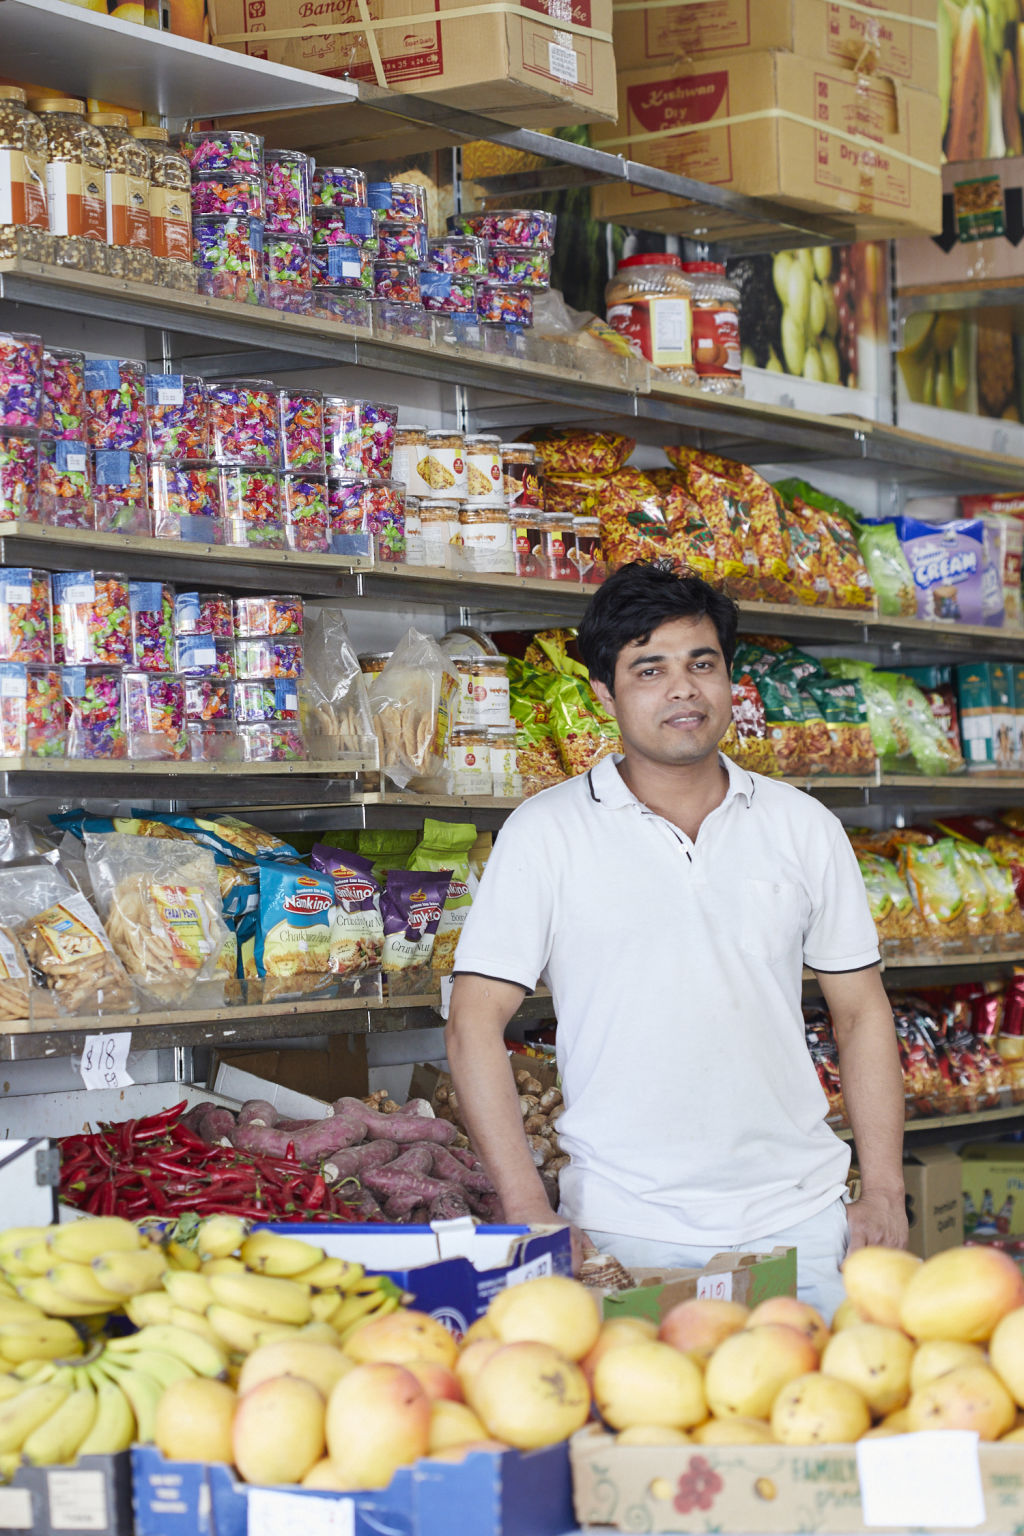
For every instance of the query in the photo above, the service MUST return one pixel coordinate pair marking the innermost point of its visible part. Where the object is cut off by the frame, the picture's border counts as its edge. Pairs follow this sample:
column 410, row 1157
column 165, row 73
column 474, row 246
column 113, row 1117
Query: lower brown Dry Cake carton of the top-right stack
column 779, row 127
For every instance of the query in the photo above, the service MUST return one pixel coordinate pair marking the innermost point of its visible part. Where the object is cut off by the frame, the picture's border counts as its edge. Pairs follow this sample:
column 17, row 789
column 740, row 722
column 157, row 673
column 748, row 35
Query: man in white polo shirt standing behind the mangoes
column 672, row 901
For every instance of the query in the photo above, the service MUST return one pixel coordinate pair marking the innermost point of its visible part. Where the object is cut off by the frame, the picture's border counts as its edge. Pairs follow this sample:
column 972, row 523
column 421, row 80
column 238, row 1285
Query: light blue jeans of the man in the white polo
column 821, row 1246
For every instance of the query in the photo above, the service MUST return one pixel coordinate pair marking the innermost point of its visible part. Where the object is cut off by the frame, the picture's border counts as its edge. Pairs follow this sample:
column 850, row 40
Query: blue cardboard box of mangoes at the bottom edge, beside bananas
column 509, row 1494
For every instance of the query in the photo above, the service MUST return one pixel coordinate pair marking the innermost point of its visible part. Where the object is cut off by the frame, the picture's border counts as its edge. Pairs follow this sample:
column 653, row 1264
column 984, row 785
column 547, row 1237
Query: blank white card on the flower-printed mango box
column 928, row 1480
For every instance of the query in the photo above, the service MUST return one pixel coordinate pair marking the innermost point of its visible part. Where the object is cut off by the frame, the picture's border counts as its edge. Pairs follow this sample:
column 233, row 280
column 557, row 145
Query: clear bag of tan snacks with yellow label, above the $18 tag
column 73, row 964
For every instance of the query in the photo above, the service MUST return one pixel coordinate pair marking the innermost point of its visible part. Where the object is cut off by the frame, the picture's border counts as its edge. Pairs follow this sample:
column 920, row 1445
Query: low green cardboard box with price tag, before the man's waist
column 728, row 1277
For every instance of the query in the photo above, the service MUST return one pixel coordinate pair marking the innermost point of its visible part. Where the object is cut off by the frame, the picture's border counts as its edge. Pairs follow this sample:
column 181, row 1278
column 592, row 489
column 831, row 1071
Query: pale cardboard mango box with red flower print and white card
column 808, row 1489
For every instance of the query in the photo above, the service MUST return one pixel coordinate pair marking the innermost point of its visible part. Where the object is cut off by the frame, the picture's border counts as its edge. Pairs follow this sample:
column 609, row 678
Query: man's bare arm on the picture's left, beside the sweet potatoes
column 489, row 1102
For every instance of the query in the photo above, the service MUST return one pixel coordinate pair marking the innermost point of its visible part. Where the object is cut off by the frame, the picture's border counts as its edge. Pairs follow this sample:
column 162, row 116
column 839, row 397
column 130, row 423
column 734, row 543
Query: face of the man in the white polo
column 673, row 695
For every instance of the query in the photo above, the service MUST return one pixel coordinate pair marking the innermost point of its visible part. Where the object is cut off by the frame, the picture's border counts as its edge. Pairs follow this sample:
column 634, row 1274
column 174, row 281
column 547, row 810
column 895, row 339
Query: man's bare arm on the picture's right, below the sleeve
column 873, row 1088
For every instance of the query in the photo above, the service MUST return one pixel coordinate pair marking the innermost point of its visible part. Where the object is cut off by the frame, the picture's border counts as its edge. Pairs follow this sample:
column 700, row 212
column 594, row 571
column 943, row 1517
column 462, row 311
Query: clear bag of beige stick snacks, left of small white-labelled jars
column 414, row 704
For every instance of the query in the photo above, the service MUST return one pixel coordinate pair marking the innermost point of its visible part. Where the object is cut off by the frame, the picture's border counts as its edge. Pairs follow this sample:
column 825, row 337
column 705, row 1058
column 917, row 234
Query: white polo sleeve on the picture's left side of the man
column 507, row 933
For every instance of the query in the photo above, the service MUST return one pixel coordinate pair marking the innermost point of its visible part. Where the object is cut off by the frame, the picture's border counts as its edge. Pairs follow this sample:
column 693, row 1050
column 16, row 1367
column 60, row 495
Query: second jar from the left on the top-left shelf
column 76, row 182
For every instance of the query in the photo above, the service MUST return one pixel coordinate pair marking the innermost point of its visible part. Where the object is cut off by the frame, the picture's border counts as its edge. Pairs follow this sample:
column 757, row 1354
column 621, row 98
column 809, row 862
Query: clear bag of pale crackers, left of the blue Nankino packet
column 162, row 909
